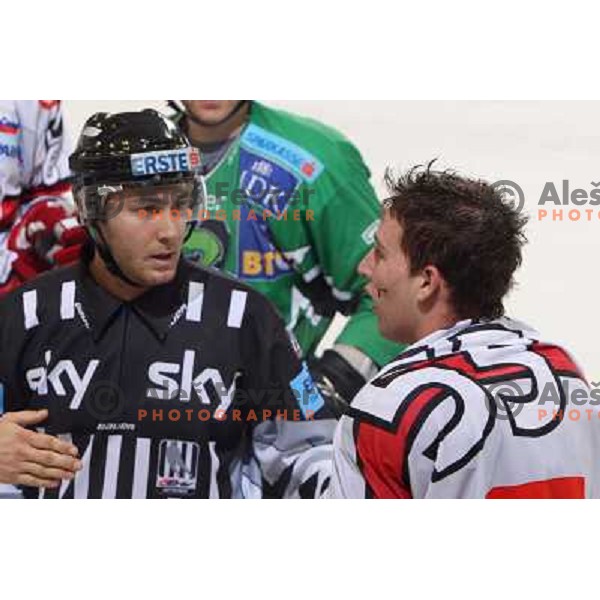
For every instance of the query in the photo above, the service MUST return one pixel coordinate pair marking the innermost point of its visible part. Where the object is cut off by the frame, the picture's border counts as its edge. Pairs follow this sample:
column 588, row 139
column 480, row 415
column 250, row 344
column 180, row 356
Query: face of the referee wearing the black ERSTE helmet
column 146, row 235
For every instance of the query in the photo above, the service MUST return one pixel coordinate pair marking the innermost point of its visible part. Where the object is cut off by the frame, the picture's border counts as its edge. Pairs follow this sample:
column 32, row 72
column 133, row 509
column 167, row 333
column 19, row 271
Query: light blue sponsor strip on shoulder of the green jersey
column 283, row 151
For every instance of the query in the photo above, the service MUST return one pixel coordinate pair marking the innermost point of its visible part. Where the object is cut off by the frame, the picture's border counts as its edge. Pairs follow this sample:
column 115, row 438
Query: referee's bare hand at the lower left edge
column 31, row 458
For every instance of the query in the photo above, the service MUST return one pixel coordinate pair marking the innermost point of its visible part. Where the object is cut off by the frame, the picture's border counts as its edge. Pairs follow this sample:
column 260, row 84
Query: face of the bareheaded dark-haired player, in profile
column 392, row 287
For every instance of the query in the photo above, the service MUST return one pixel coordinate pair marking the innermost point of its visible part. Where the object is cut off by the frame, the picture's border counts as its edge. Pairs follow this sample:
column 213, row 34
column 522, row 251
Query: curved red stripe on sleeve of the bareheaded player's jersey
column 382, row 454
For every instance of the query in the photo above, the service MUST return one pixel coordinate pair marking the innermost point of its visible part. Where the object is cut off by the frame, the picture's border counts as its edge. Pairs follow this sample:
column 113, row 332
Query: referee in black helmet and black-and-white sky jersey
column 143, row 375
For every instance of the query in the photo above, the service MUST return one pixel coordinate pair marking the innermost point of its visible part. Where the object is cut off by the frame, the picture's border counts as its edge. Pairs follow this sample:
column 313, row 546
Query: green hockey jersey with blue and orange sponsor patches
column 291, row 212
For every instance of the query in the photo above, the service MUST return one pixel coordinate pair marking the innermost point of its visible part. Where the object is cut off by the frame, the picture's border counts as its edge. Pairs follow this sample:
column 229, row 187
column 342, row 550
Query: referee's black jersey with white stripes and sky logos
column 193, row 390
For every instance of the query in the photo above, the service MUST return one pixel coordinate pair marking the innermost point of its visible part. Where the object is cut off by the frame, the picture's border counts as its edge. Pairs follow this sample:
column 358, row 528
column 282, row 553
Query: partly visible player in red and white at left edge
column 38, row 228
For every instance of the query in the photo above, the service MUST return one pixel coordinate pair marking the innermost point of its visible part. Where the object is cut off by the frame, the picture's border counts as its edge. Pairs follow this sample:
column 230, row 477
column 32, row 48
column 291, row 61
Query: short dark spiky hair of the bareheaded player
column 466, row 228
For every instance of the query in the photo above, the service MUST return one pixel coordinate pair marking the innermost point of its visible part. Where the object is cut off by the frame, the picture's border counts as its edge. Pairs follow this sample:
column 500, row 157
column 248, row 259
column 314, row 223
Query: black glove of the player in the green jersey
column 337, row 380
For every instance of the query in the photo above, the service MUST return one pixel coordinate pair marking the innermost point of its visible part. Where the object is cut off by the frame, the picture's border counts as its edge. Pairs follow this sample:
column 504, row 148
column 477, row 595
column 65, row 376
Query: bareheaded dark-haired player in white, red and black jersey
column 478, row 406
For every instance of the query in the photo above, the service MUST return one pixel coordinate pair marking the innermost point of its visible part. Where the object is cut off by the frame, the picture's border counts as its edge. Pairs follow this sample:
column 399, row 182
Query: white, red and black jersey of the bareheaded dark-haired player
column 481, row 410
